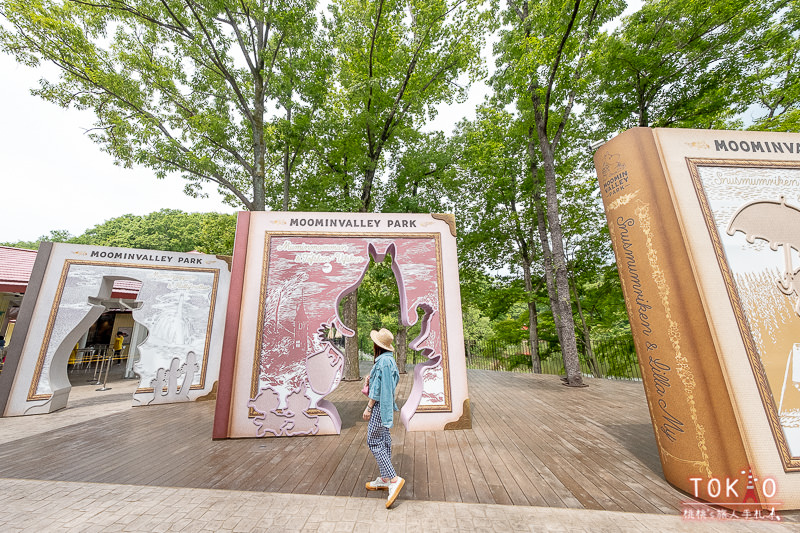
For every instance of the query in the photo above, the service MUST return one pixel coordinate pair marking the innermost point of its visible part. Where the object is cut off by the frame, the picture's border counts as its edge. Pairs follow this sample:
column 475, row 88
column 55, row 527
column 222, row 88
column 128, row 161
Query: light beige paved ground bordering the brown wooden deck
column 43, row 506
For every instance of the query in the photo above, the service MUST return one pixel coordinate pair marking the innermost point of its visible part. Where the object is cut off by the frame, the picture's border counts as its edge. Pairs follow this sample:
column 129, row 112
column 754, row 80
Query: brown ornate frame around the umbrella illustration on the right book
column 790, row 464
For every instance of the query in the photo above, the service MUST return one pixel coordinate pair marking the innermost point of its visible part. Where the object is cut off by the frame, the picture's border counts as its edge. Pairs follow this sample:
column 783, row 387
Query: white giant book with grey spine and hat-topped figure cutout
column 178, row 307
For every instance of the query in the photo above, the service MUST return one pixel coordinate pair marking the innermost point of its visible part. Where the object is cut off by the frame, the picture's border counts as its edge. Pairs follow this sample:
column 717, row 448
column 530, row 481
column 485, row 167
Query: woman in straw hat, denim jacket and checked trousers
column 382, row 383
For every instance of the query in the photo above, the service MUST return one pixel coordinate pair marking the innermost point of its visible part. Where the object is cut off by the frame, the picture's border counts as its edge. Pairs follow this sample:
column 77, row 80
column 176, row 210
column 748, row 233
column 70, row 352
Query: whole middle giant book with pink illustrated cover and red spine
column 291, row 272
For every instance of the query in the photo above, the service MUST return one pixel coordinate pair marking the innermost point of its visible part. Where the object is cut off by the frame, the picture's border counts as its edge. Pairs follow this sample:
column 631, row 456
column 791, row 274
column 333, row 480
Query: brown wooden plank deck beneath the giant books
column 533, row 442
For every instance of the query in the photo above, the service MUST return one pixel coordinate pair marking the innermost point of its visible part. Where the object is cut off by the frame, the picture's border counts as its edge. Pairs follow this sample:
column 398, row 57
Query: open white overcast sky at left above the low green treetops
column 54, row 177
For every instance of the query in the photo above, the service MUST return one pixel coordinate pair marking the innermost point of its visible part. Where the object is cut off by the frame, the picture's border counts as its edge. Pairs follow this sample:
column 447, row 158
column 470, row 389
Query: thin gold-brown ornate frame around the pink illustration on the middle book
column 447, row 407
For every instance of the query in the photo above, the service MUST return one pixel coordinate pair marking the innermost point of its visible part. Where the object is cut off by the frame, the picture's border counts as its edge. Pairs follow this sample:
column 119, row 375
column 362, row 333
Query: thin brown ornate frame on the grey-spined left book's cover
column 57, row 302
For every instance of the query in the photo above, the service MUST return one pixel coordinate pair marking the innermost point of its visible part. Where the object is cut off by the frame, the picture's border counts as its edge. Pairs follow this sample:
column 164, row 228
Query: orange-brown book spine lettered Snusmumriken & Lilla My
column 695, row 426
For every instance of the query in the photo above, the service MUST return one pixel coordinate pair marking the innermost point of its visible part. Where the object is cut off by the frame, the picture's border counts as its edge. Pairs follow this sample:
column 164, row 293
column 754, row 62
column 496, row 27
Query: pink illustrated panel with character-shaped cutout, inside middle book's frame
column 307, row 277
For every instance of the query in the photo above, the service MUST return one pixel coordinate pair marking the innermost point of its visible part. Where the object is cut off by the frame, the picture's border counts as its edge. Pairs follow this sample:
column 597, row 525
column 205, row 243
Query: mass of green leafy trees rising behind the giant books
column 294, row 105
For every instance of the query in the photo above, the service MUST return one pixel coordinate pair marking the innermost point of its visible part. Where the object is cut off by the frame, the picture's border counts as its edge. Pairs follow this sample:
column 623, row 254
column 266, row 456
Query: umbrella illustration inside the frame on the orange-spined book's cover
column 755, row 210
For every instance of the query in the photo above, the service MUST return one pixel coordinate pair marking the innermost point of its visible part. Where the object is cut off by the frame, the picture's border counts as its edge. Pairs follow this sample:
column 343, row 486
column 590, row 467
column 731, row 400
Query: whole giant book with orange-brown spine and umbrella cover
column 706, row 230
